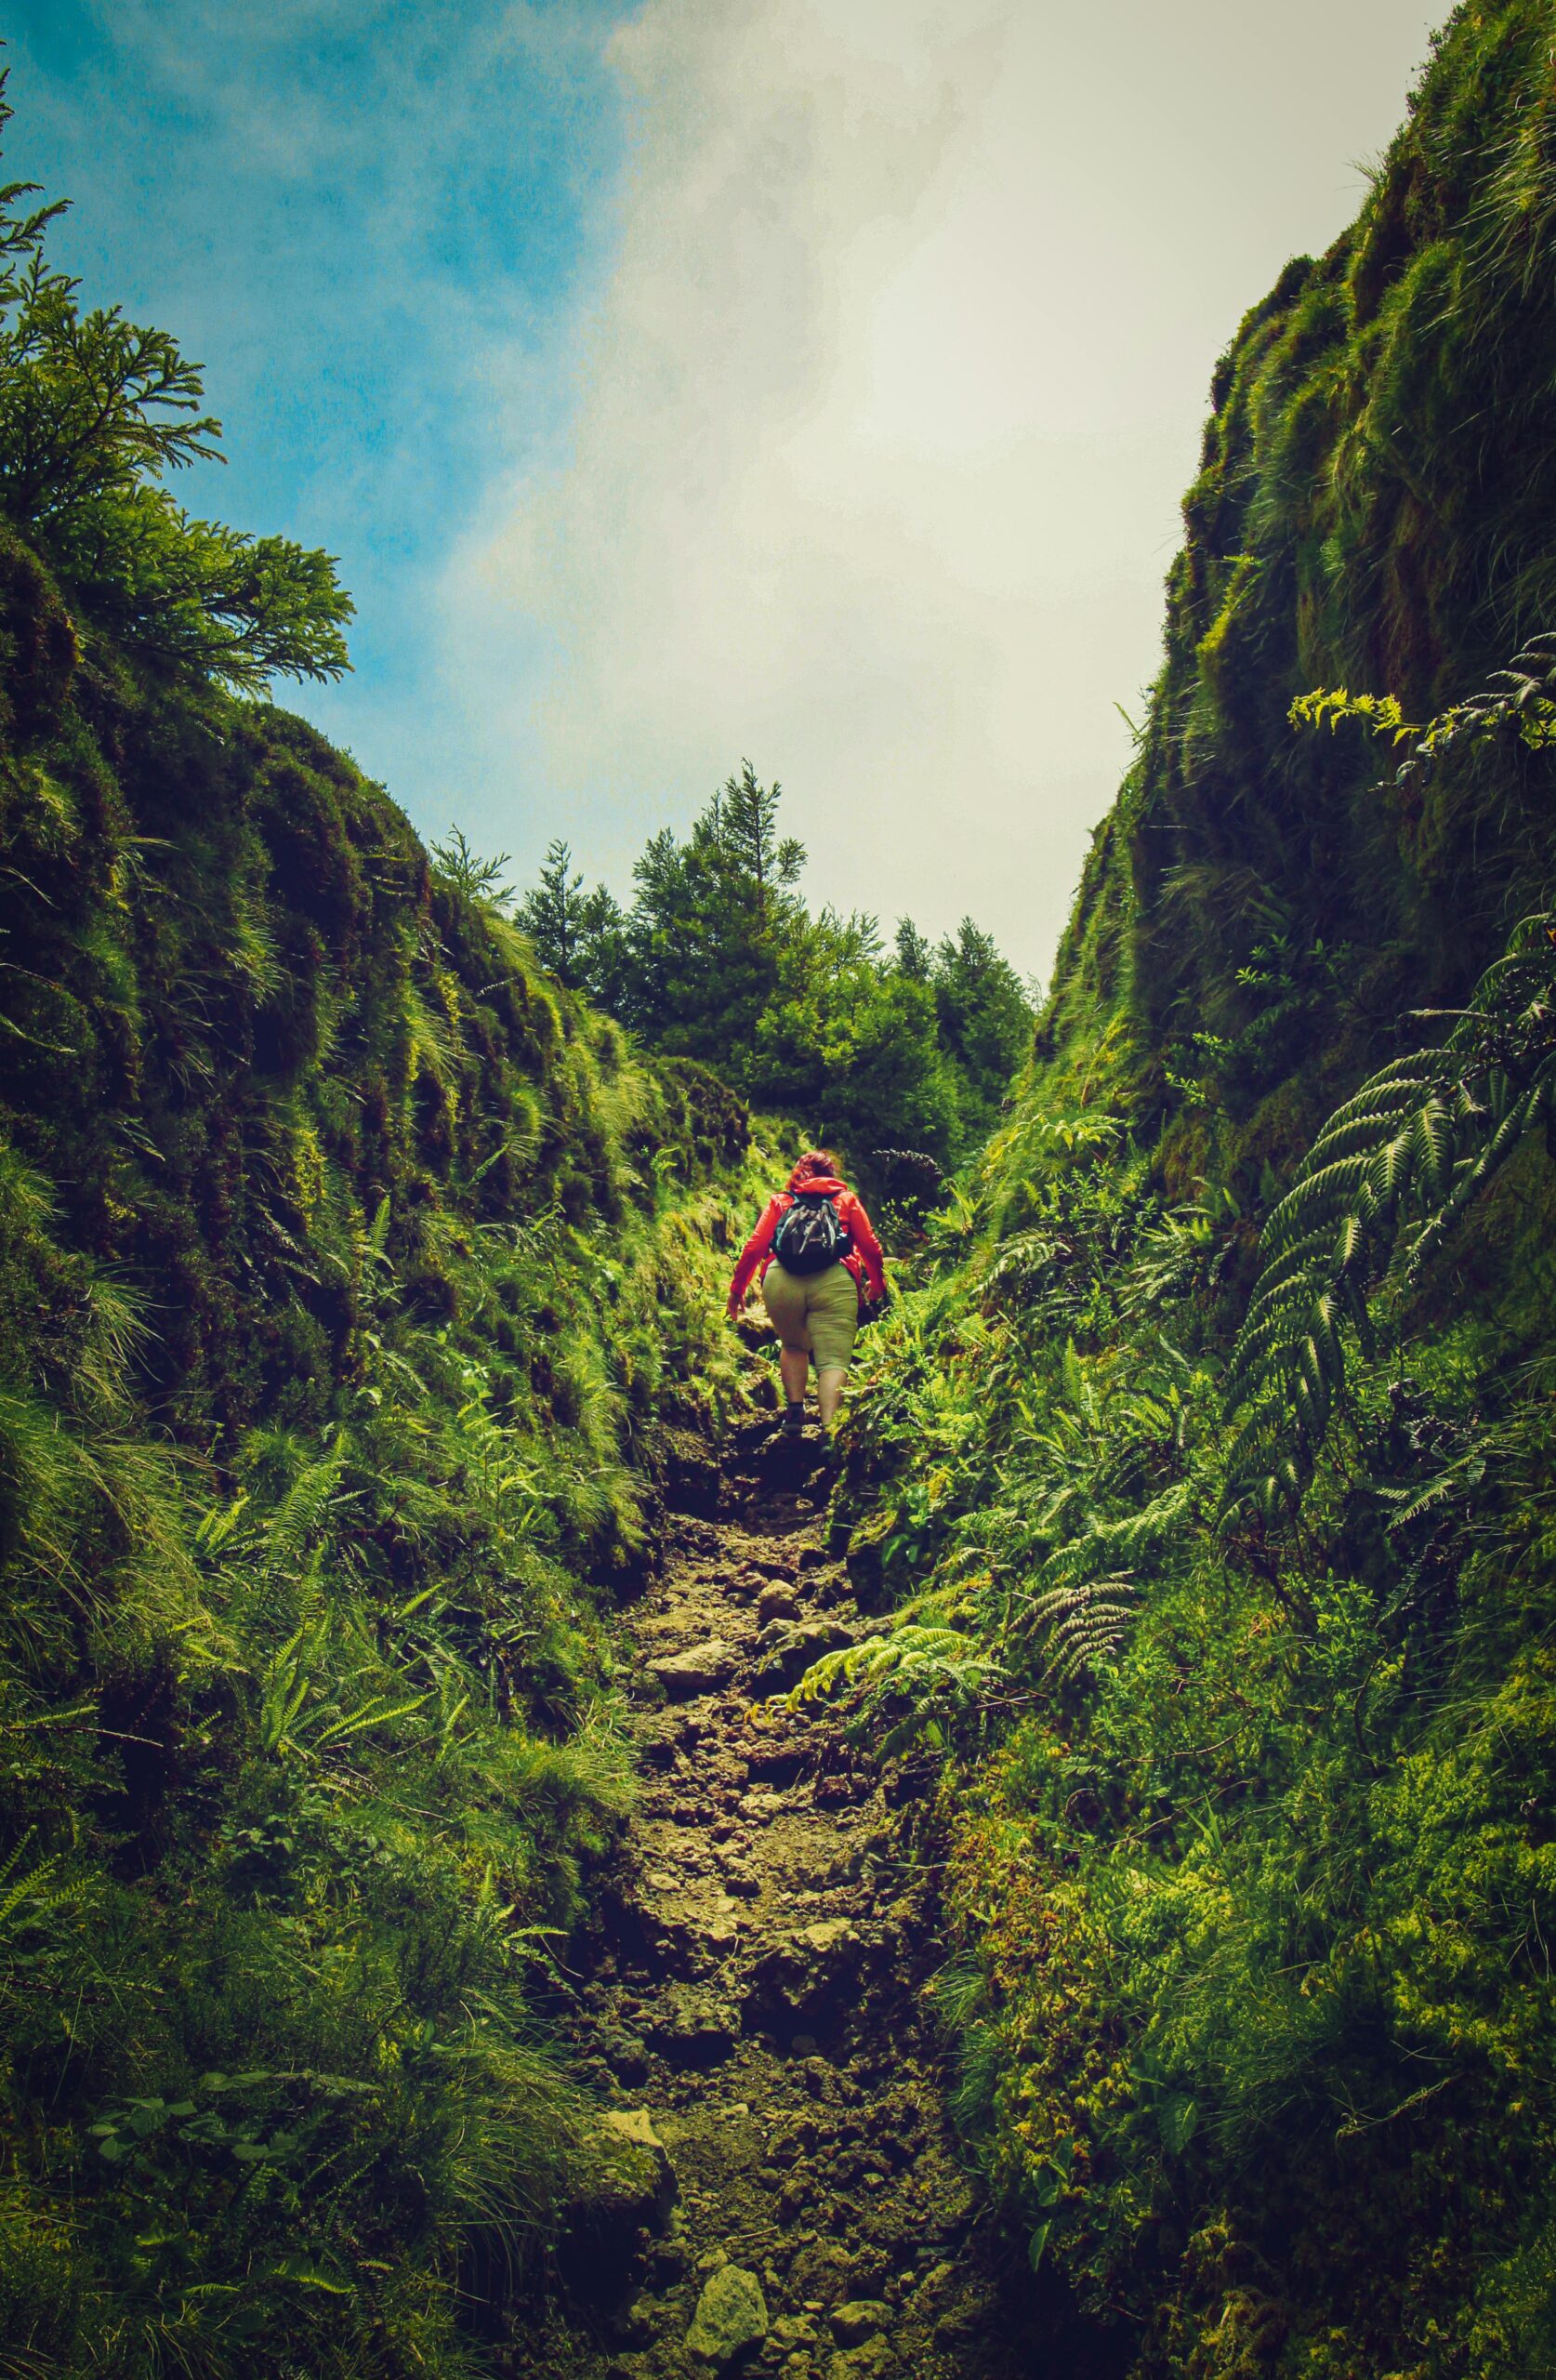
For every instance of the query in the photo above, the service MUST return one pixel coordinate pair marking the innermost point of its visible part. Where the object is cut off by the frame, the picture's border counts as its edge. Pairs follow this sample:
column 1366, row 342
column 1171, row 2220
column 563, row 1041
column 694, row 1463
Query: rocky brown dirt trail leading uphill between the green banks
column 782, row 2191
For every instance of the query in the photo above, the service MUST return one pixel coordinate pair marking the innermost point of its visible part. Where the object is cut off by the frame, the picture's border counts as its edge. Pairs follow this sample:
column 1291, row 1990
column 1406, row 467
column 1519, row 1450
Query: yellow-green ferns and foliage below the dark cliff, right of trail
column 1246, row 1798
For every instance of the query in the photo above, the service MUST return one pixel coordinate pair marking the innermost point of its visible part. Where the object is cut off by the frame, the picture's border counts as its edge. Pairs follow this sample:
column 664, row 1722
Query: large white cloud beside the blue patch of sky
column 884, row 420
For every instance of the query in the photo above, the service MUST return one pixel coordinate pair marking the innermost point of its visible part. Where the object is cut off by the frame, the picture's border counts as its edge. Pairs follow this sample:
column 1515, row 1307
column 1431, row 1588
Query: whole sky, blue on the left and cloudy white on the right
column 696, row 380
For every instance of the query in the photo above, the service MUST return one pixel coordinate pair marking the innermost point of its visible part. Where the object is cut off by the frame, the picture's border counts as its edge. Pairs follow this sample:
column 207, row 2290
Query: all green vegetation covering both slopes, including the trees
column 358, row 1274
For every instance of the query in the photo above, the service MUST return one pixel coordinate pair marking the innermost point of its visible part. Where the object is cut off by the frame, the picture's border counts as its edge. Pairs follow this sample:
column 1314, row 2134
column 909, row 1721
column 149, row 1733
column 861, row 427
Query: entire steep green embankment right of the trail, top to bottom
column 1241, row 1679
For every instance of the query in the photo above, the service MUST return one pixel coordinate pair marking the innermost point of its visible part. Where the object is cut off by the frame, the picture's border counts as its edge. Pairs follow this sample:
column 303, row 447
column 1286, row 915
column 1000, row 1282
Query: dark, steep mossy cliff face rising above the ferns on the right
column 1376, row 508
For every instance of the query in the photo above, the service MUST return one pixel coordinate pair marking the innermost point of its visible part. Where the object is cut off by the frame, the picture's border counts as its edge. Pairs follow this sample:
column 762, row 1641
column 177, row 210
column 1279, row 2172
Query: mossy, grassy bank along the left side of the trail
column 351, row 1286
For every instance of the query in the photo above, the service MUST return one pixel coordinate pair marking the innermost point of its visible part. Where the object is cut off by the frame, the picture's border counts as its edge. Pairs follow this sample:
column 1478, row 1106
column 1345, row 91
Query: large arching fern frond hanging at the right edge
column 1376, row 1198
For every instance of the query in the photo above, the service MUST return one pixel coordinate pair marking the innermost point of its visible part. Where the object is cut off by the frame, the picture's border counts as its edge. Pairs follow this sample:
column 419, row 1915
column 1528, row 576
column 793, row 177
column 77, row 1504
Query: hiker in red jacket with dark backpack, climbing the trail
column 820, row 1267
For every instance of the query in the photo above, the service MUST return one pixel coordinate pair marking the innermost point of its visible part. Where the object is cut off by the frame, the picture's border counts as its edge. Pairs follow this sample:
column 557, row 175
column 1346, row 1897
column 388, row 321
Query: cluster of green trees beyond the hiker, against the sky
column 805, row 1015
